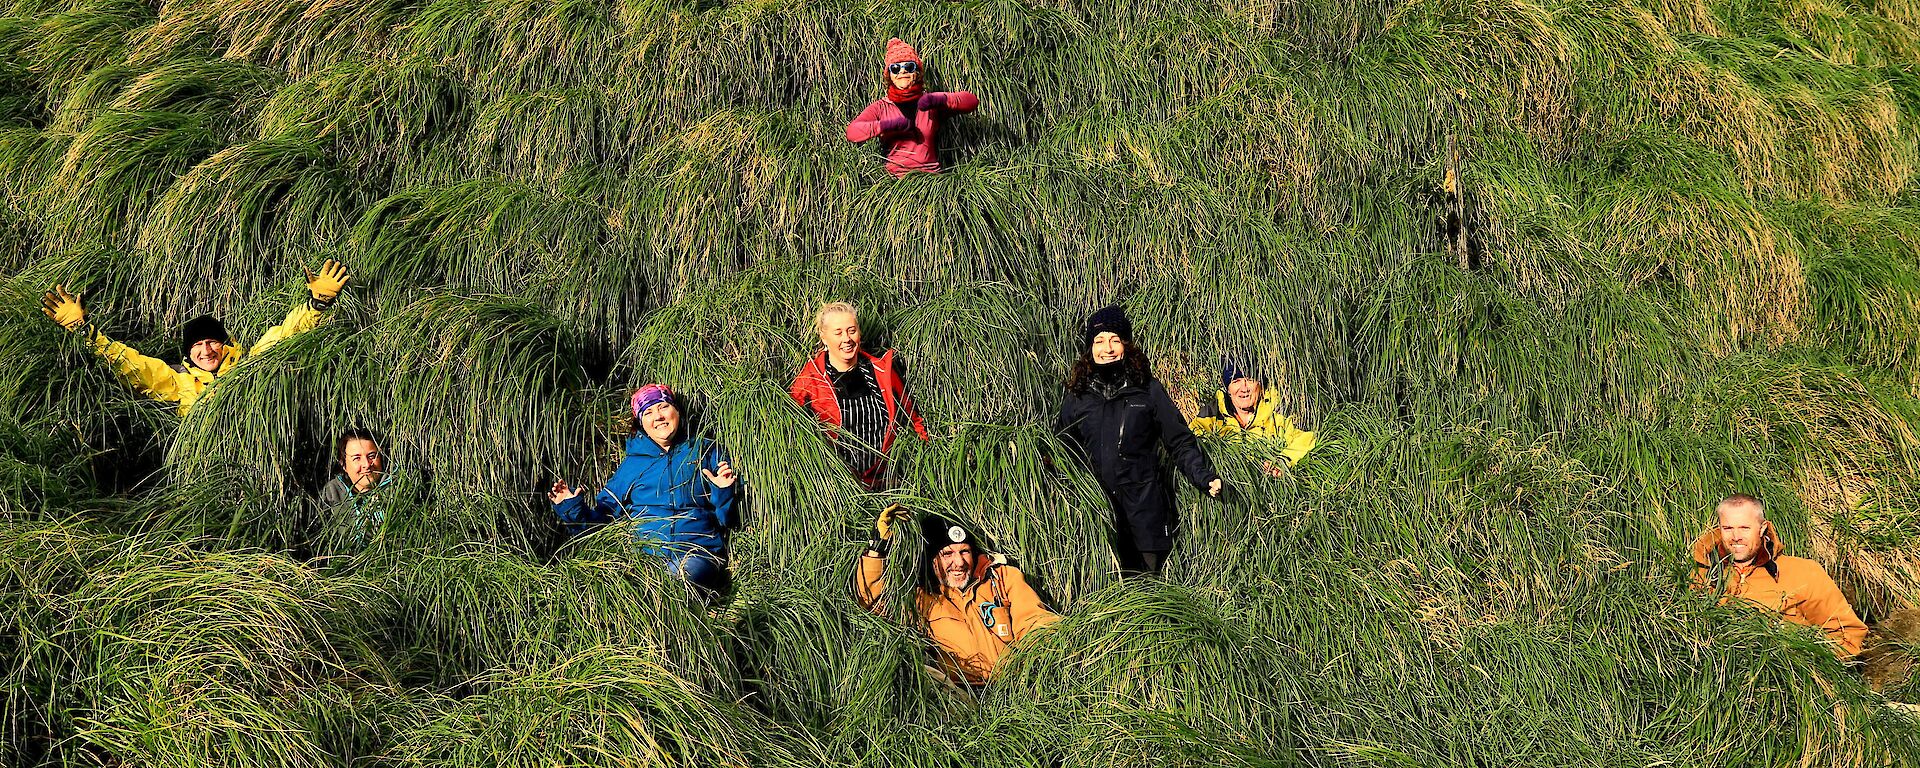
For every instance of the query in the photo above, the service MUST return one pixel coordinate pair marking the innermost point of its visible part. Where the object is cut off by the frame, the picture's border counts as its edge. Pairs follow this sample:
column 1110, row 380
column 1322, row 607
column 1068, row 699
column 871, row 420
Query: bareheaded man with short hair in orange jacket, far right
column 1740, row 558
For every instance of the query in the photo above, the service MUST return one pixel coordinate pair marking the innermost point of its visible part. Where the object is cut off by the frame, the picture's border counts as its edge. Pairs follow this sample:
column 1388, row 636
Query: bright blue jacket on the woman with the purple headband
column 663, row 496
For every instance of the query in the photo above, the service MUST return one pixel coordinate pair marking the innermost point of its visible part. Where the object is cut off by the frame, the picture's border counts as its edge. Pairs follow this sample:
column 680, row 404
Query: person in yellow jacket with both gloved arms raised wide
column 206, row 350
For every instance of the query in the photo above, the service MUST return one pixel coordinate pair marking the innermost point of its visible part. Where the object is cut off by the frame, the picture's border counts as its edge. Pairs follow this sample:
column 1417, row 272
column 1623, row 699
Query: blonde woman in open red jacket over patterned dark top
column 861, row 398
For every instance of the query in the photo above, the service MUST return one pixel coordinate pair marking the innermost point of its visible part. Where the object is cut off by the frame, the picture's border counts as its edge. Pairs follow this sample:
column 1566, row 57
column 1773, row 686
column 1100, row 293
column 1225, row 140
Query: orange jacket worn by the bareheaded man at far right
column 1792, row 587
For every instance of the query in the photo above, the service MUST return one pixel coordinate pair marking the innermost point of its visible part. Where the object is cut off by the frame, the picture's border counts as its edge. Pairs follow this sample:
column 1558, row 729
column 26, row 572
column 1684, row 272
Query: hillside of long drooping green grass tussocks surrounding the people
column 1548, row 279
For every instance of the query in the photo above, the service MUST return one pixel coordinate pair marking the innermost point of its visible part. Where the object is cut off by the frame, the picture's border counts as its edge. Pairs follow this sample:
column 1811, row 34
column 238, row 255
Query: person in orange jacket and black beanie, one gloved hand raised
column 972, row 604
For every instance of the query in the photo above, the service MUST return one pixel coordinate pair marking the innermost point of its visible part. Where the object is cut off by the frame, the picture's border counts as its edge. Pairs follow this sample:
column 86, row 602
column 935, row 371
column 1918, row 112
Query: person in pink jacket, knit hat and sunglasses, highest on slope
column 909, row 120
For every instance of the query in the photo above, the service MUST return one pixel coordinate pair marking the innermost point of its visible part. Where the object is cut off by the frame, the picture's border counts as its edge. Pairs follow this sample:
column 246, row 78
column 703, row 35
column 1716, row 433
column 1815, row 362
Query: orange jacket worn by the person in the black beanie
column 959, row 623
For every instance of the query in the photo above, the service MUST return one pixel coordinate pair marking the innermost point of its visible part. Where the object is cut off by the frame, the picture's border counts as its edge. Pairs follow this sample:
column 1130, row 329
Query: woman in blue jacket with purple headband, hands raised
column 673, row 492
